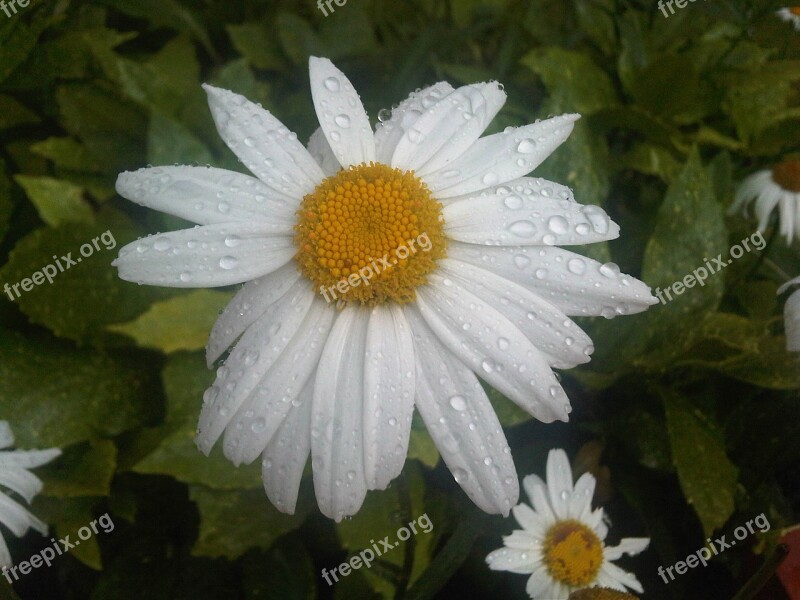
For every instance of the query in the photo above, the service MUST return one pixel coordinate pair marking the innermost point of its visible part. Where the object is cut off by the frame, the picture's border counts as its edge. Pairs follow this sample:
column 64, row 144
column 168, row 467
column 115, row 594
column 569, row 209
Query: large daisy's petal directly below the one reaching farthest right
column 554, row 334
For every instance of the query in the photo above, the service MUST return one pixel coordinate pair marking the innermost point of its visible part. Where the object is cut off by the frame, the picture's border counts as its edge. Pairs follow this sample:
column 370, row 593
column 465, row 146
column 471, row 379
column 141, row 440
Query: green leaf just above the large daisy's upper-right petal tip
column 574, row 81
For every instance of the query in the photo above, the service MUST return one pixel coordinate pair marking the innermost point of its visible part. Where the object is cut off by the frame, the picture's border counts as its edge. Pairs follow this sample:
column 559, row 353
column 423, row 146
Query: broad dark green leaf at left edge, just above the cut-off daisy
column 57, row 395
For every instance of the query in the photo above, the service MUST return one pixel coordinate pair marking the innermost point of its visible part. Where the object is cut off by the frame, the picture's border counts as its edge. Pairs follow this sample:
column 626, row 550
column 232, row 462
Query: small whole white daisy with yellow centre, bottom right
column 561, row 541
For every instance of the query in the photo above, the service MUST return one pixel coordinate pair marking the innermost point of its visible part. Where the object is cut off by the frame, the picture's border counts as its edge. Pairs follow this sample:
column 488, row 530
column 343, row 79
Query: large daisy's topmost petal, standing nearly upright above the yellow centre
column 340, row 113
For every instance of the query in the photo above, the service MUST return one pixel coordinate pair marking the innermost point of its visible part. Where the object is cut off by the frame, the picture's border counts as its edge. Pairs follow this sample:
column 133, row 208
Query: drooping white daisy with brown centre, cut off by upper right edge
column 779, row 186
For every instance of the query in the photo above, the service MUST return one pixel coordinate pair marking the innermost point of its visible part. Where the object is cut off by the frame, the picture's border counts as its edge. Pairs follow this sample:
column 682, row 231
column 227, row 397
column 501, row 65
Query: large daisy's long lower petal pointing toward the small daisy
column 462, row 422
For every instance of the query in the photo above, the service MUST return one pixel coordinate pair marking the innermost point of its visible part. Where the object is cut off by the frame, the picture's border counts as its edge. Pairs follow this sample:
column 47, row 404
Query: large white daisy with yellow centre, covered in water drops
column 383, row 271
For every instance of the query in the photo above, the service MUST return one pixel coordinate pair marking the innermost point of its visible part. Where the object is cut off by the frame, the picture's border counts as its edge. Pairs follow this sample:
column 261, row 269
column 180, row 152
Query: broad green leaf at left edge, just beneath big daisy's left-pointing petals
column 91, row 281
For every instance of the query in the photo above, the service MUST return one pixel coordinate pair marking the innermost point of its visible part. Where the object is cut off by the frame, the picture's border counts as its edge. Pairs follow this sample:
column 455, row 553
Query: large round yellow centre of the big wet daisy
column 369, row 234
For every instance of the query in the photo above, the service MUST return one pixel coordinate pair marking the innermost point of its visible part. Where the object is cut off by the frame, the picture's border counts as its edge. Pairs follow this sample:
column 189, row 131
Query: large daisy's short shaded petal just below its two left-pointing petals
column 247, row 305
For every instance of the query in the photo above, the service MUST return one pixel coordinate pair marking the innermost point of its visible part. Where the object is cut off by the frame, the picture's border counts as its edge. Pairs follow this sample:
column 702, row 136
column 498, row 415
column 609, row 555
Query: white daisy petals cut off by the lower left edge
column 16, row 477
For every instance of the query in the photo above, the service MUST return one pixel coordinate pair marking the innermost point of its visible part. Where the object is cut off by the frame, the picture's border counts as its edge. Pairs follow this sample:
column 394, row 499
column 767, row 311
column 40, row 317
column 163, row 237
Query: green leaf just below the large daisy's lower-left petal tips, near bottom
column 232, row 522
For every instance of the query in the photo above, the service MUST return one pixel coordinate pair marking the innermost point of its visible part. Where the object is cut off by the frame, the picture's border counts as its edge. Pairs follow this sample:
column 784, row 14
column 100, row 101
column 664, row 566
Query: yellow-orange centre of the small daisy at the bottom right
column 573, row 553
